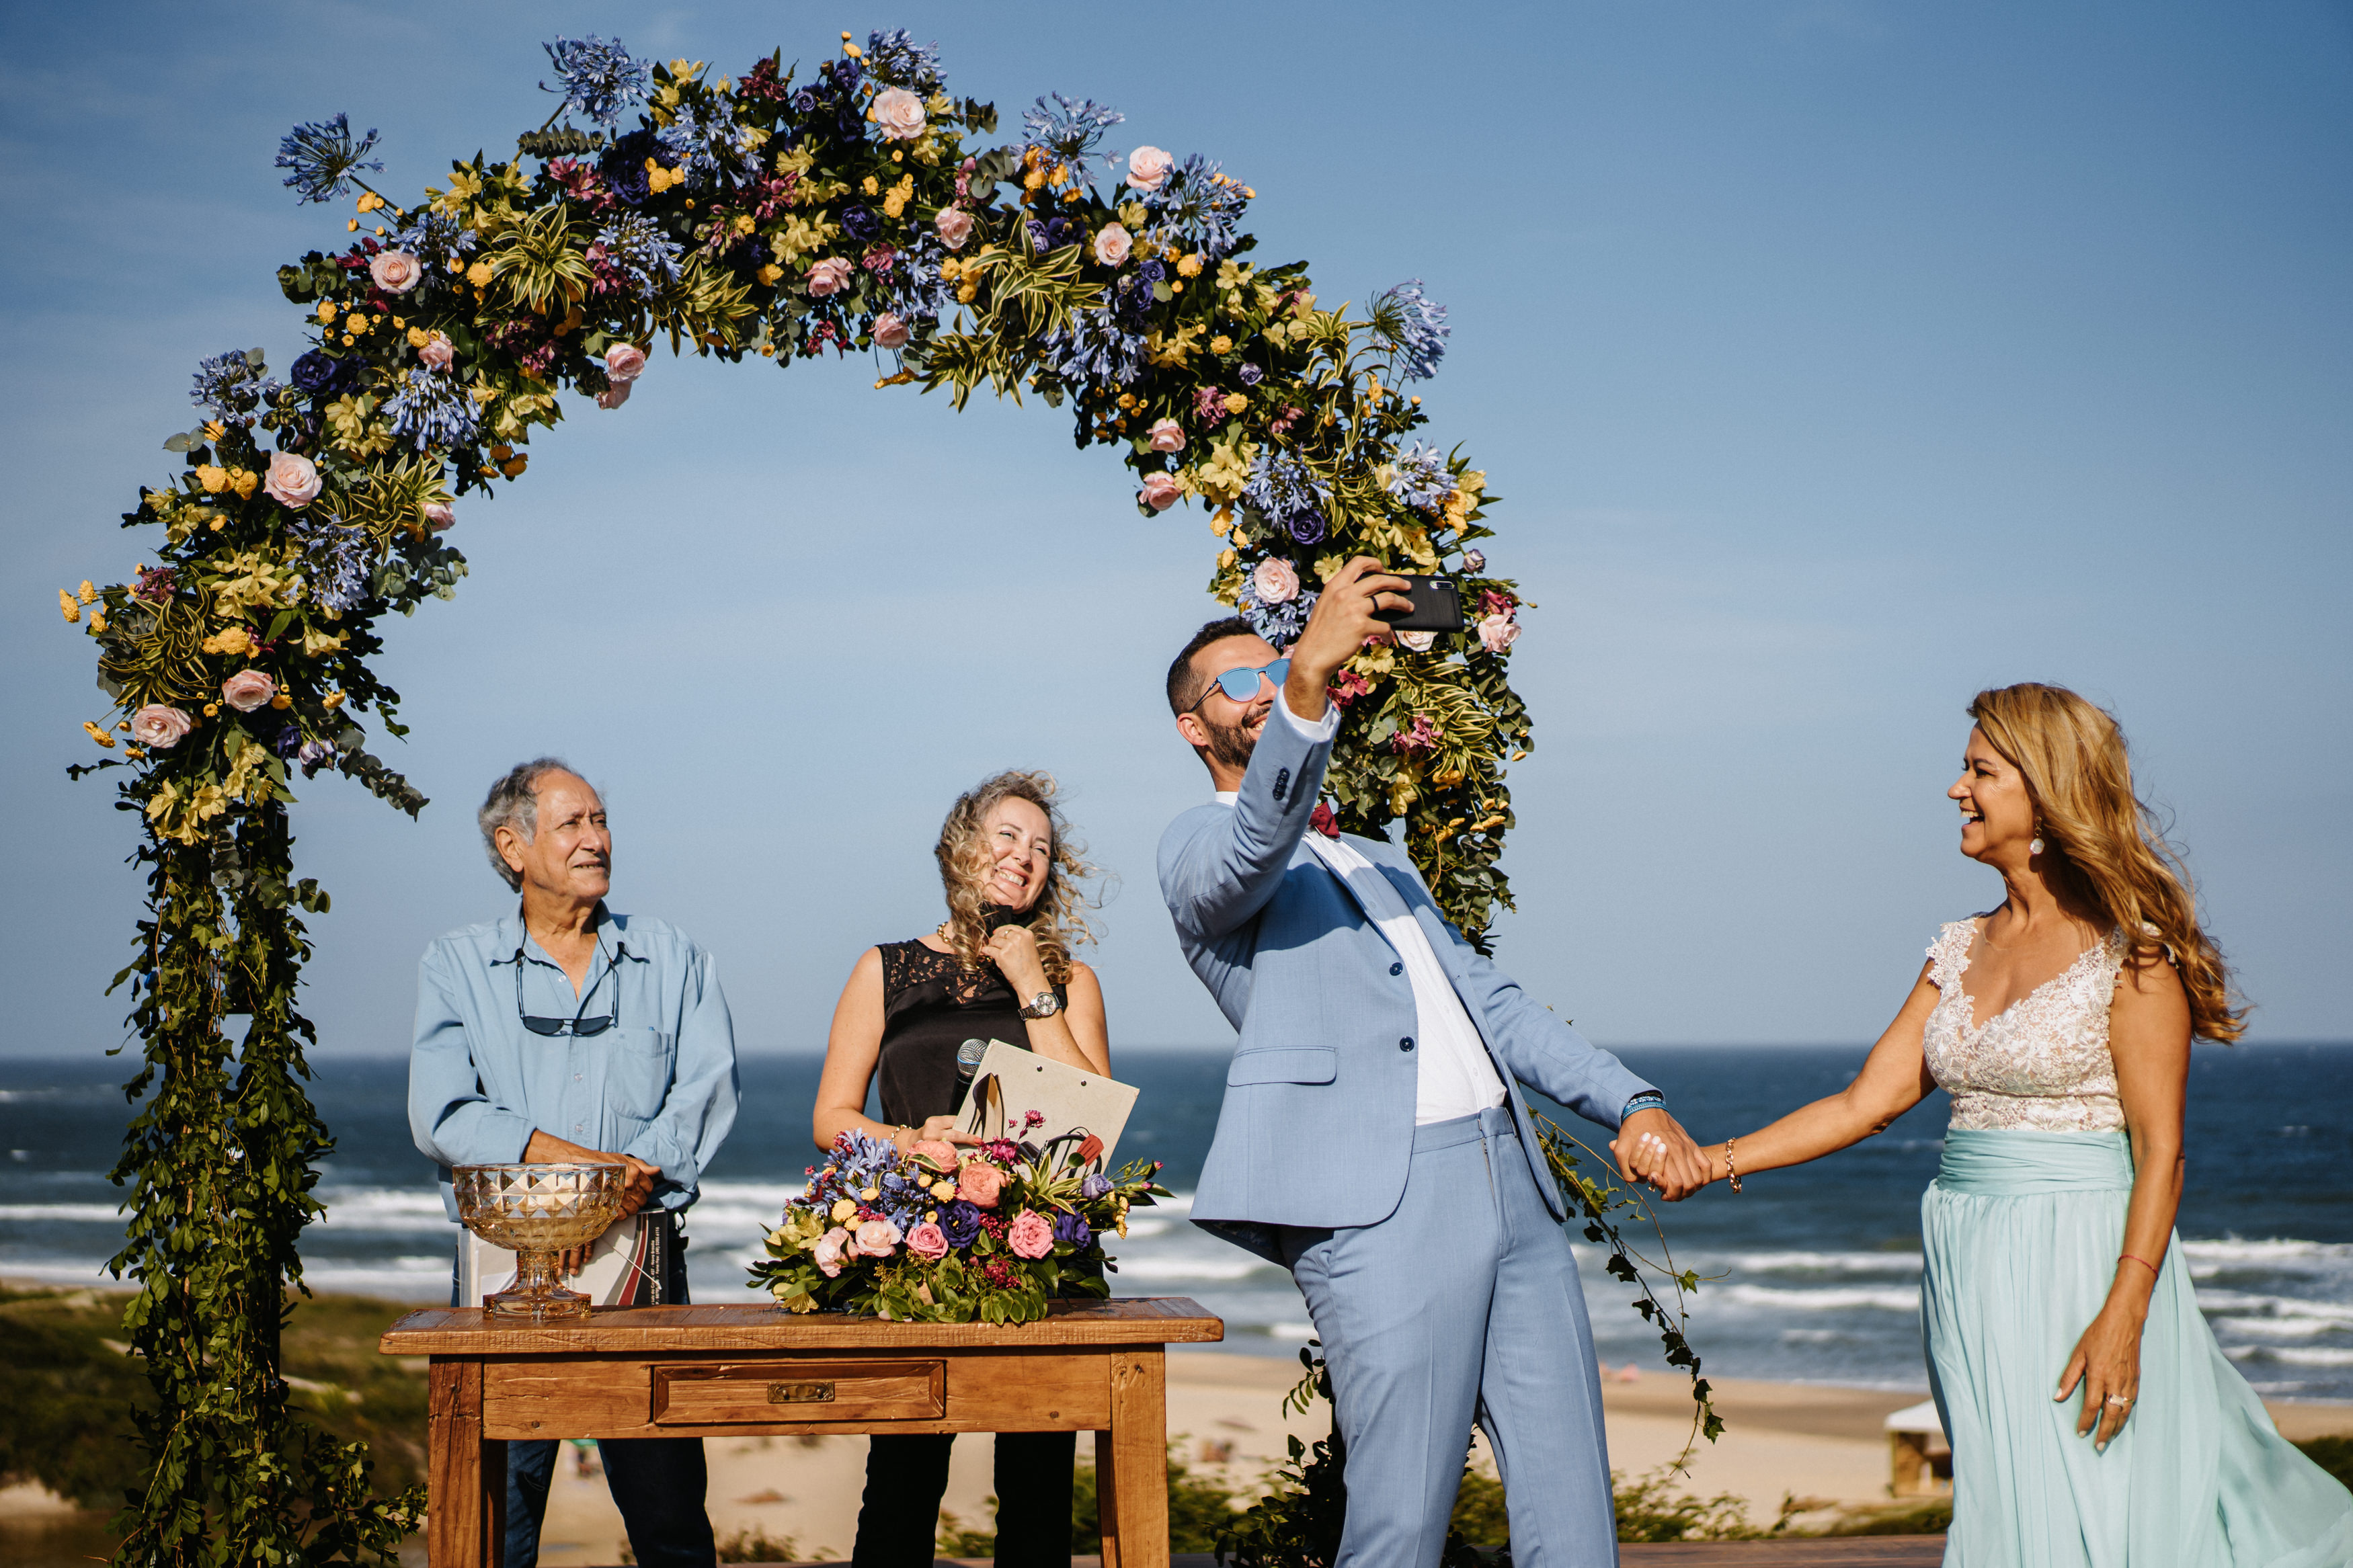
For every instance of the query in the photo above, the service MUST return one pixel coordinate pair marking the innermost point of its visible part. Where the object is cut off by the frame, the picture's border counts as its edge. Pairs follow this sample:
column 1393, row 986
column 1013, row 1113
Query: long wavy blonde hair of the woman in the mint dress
column 2107, row 840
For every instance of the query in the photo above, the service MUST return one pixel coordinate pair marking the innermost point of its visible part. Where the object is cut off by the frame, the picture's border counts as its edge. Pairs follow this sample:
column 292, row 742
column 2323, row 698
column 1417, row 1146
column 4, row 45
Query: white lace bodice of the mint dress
column 2044, row 1061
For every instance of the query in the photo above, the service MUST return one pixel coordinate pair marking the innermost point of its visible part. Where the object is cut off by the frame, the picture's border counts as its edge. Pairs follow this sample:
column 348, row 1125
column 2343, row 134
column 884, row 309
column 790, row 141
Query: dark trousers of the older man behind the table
column 658, row 1482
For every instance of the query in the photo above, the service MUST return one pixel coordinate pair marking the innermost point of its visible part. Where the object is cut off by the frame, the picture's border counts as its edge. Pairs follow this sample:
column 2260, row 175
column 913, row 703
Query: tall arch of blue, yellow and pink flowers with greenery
column 747, row 217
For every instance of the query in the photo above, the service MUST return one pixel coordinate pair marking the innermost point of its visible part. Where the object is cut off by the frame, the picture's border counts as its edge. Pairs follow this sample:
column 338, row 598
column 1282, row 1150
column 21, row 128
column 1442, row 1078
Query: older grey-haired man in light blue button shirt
column 568, row 1033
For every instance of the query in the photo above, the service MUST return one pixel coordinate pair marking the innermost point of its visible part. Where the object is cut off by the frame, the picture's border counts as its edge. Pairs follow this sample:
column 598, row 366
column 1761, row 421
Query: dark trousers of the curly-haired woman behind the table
column 909, row 1475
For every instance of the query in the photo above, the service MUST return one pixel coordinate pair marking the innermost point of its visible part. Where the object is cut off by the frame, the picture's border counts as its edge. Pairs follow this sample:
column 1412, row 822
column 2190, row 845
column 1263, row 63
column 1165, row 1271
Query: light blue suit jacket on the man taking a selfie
column 1319, row 1118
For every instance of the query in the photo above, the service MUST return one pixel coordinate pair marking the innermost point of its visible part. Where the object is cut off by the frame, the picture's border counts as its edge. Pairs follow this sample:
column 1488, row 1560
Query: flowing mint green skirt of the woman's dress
column 2020, row 1238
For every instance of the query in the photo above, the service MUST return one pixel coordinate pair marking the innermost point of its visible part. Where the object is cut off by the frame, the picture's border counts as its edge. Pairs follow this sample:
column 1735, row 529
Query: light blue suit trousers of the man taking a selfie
column 1462, row 1306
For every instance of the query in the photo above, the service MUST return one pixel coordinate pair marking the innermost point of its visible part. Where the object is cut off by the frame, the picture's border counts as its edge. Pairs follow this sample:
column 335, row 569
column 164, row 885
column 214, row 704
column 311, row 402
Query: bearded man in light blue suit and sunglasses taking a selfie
column 1373, row 1134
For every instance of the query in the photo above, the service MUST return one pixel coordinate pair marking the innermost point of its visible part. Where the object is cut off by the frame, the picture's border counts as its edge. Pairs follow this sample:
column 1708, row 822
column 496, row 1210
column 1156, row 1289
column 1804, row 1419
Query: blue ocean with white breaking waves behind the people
column 1811, row 1275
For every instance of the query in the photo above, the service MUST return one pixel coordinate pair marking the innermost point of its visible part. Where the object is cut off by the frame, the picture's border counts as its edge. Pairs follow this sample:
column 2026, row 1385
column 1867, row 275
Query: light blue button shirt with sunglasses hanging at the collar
column 660, row 1085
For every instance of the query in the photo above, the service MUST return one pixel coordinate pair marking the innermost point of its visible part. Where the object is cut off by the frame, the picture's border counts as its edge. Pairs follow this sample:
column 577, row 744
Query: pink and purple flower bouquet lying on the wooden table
column 952, row 1235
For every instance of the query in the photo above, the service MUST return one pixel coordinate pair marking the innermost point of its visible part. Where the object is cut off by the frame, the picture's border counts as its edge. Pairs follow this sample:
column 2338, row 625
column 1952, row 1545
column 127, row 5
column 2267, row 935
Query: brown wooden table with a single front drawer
column 764, row 1372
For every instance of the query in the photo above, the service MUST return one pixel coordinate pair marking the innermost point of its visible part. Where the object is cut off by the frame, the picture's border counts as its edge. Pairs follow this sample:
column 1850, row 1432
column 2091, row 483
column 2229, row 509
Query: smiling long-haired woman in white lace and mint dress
column 2093, row 1419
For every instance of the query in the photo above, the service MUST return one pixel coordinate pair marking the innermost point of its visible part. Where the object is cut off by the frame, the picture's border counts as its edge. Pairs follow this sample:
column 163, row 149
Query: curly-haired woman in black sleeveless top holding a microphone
column 996, row 970
